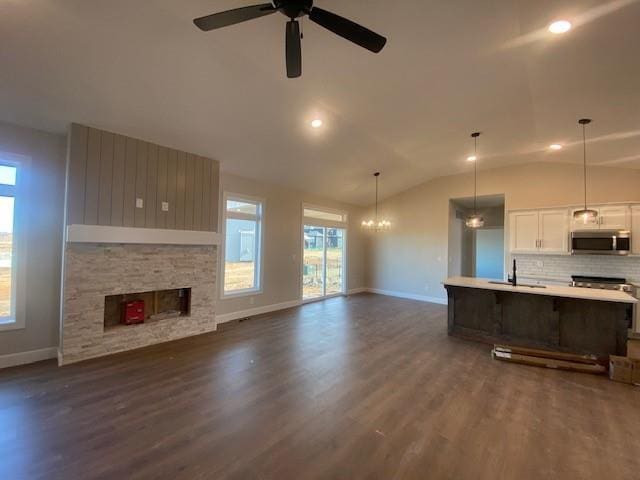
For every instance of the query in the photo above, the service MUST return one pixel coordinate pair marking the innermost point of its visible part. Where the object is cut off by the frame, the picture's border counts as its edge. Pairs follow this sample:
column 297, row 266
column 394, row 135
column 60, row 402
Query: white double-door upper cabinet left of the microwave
column 539, row 231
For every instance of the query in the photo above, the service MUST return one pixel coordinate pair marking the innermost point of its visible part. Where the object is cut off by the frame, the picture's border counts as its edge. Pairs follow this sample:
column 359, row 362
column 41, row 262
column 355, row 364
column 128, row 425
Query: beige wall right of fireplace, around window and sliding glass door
column 282, row 242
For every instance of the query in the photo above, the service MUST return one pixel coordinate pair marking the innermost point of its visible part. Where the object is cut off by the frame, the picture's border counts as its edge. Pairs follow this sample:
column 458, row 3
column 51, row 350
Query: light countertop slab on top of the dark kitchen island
column 549, row 290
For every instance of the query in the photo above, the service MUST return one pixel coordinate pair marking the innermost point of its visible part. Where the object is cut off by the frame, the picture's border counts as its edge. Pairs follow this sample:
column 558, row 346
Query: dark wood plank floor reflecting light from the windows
column 365, row 387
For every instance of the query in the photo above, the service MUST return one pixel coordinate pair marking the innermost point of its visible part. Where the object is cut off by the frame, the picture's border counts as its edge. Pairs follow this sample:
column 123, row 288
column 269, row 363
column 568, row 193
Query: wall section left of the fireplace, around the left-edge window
column 45, row 200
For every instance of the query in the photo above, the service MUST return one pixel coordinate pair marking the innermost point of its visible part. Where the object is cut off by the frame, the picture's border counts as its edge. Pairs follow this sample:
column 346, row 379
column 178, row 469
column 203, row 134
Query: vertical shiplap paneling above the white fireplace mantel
column 107, row 172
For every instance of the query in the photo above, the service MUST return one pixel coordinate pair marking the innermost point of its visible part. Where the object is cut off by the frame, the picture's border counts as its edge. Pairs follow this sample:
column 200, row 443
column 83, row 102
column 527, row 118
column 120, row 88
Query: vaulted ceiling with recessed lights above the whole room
column 449, row 68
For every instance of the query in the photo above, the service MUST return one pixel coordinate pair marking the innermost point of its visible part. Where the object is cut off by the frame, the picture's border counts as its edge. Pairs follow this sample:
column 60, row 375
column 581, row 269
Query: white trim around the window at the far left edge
column 20, row 217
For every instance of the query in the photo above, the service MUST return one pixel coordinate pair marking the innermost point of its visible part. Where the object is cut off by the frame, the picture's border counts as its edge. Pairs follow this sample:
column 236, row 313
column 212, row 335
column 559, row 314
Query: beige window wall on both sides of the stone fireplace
column 282, row 242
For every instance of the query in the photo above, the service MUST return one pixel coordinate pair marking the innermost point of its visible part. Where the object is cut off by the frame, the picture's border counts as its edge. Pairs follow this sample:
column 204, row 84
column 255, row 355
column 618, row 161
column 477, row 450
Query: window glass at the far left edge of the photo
column 8, row 272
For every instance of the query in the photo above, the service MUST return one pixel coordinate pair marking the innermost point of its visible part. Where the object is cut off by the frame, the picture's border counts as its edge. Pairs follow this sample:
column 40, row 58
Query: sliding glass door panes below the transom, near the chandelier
column 323, row 262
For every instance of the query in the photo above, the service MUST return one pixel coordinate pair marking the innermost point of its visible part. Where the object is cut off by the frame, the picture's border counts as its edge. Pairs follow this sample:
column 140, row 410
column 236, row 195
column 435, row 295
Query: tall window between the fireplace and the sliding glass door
column 242, row 247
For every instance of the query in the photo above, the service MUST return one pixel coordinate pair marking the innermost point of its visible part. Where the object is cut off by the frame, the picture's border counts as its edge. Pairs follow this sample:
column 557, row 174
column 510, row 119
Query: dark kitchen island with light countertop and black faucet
column 563, row 318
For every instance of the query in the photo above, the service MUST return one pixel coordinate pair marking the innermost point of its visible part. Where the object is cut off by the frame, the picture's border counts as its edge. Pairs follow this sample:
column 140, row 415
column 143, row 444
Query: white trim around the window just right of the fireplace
column 259, row 218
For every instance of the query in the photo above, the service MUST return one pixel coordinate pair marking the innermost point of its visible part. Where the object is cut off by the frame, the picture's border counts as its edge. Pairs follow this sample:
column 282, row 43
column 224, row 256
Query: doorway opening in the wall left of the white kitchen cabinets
column 477, row 252
